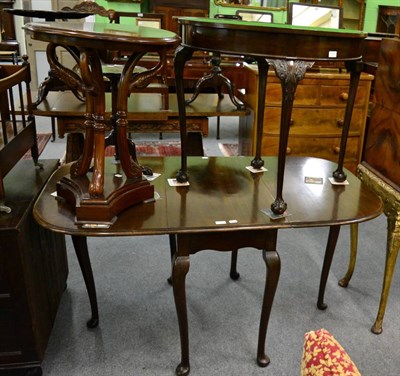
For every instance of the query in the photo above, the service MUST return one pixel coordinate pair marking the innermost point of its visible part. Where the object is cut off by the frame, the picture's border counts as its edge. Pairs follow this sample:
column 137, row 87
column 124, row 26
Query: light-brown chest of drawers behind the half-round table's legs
column 317, row 117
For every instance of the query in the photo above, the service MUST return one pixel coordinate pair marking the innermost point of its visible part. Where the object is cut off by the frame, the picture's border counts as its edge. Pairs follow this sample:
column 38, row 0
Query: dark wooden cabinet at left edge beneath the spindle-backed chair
column 33, row 273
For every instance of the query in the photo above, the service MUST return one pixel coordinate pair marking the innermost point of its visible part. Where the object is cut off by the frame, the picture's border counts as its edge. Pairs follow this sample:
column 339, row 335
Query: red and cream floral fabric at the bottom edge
column 324, row 356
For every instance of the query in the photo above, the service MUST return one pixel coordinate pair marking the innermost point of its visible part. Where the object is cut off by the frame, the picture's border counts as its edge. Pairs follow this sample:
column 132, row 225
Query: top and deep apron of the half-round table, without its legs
column 285, row 41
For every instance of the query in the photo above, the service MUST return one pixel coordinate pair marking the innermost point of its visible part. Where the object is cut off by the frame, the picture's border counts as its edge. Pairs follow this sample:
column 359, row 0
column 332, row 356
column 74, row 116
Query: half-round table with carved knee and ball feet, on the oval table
column 290, row 50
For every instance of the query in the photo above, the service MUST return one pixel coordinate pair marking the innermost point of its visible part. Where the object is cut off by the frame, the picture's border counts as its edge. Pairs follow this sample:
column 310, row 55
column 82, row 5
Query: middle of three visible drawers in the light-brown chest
column 316, row 121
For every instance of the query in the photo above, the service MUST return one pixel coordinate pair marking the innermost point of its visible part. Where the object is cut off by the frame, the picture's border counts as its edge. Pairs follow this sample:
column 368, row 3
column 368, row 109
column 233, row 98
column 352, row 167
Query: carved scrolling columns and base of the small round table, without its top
column 90, row 199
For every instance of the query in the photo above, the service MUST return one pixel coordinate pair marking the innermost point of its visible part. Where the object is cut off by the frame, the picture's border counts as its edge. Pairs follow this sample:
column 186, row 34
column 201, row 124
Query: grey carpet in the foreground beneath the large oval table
column 138, row 332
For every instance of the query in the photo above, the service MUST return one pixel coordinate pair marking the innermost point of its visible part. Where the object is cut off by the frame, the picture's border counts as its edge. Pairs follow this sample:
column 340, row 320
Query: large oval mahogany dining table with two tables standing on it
column 223, row 208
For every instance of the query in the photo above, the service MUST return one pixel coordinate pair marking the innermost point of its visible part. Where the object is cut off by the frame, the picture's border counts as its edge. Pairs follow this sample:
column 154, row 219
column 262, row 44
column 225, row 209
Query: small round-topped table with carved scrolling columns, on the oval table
column 96, row 198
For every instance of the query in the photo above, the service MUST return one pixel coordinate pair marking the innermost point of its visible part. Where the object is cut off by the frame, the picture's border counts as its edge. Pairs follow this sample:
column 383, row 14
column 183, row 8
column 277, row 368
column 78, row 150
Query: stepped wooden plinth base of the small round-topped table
column 119, row 194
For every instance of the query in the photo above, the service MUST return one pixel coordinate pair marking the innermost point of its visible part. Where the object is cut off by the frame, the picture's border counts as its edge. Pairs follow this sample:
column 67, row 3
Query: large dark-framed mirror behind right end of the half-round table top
column 315, row 15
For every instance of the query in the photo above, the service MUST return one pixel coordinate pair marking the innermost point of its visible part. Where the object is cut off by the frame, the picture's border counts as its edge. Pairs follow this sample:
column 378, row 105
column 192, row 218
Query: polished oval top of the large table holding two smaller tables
column 223, row 196
